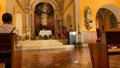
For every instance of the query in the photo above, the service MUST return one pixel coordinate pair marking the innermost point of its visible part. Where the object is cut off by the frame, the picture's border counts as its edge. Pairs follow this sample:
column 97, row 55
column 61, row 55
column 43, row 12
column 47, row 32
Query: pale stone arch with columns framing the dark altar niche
column 33, row 5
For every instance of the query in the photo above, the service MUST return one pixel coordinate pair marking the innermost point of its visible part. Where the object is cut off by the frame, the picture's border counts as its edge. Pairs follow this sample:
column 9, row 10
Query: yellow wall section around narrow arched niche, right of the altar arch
column 70, row 11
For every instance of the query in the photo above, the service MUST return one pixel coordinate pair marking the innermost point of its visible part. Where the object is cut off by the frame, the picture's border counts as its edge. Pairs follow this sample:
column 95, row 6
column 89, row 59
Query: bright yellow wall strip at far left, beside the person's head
column 2, row 9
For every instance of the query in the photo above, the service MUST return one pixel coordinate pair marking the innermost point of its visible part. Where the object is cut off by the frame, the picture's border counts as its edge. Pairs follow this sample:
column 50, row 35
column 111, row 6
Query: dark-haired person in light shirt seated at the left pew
column 7, row 27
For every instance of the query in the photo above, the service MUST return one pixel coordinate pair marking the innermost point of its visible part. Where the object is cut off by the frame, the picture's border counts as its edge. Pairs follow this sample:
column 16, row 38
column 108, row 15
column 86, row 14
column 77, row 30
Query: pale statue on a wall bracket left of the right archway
column 88, row 19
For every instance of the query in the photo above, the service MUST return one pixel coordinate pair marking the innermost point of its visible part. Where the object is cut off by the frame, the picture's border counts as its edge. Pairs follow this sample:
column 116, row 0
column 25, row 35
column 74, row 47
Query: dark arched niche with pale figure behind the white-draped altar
column 44, row 17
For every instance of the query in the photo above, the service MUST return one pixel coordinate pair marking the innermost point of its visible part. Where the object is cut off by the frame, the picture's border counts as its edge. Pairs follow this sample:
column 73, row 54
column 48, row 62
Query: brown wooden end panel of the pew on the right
column 99, row 55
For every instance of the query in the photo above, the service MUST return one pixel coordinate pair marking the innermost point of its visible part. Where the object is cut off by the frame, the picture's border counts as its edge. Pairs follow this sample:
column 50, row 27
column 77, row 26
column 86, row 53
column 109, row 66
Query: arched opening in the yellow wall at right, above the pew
column 106, row 20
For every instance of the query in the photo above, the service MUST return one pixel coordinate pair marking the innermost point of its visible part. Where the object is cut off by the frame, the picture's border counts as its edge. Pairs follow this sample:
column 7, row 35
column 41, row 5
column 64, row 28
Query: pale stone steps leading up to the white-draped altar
column 43, row 44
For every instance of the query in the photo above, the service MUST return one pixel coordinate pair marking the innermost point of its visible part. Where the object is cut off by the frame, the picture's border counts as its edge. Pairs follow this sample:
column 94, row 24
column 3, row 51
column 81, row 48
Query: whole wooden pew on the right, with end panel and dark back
column 100, row 52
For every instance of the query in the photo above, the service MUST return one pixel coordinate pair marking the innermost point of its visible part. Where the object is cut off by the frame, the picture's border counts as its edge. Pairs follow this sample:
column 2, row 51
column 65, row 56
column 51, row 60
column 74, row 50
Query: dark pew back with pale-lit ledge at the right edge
column 113, row 40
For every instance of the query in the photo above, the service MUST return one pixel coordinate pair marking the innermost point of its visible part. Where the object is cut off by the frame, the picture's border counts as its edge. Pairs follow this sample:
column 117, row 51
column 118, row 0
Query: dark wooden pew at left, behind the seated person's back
column 9, row 53
